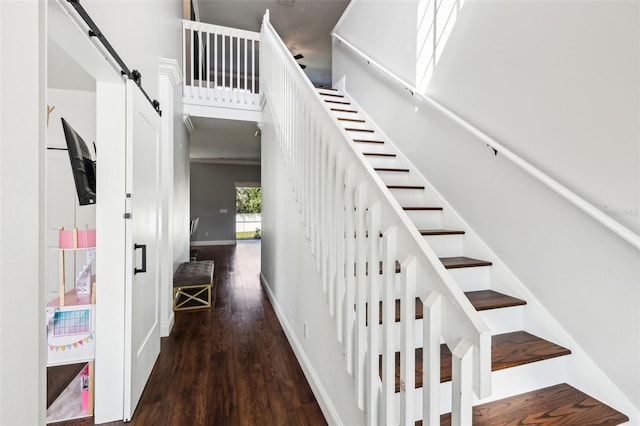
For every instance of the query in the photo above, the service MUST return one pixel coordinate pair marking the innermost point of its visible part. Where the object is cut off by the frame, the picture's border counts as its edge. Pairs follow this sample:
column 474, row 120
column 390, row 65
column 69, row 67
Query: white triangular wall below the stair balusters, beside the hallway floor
column 295, row 287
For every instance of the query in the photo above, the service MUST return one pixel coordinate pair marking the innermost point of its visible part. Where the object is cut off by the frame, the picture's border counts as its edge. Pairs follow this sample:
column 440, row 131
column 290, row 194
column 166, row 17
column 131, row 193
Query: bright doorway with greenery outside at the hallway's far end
column 248, row 211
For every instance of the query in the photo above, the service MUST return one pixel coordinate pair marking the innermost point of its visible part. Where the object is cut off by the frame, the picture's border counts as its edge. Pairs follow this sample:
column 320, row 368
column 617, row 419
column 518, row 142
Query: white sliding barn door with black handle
column 142, row 311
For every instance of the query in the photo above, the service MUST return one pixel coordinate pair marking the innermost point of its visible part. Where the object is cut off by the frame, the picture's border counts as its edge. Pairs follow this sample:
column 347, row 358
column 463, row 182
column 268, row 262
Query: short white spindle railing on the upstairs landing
column 220, row 66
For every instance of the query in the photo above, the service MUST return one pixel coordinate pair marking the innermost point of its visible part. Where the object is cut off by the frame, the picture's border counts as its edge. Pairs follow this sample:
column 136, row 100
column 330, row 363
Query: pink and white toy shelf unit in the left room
column 71, row 336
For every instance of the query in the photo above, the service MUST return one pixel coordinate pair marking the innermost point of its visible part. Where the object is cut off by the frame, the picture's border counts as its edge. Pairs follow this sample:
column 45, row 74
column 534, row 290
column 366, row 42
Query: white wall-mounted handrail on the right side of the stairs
column 616, row 227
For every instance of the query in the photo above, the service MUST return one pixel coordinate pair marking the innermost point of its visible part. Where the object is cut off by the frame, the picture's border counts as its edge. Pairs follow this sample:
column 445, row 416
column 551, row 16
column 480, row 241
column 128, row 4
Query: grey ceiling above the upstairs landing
column 304, row 26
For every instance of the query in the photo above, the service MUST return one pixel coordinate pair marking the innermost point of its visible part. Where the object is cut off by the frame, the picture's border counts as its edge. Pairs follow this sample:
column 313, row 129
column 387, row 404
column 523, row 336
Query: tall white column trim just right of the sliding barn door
column 169, row 79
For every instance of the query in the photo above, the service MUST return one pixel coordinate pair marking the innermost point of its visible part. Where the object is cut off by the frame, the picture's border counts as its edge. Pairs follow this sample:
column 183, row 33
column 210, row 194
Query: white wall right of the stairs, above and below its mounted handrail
column 557, row 81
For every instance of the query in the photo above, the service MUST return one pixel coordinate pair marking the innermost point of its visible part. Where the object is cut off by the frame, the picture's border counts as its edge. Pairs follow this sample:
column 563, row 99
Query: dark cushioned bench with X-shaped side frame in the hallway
column 192, row 284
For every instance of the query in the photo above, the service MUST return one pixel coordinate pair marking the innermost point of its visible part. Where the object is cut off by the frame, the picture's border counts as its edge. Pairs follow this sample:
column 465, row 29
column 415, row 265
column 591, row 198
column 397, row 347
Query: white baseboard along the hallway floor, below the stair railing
column 328, row 410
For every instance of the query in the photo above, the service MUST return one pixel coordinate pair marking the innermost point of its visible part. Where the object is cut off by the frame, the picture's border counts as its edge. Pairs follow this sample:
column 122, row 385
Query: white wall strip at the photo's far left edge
column 22, row 135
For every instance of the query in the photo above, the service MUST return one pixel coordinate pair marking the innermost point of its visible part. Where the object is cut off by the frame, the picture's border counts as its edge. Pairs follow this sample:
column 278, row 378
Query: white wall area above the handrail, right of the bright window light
column 558, row 82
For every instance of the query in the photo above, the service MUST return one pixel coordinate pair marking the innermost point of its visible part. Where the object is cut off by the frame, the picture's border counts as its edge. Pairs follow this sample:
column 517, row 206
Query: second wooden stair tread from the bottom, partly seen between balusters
column 507, row 350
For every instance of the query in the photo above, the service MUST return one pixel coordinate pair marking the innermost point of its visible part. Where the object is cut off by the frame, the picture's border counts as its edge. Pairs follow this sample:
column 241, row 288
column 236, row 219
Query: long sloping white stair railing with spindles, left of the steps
column 359, row 233
